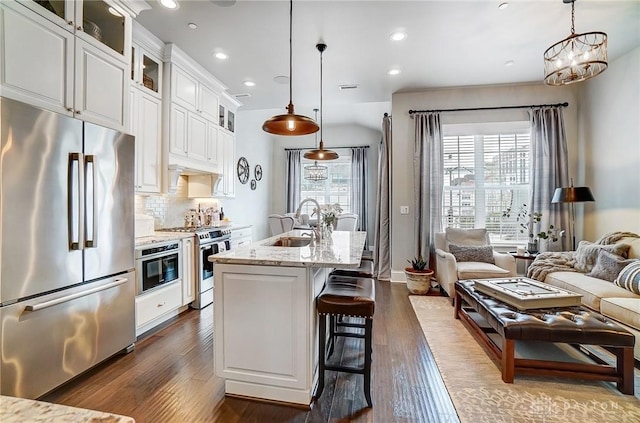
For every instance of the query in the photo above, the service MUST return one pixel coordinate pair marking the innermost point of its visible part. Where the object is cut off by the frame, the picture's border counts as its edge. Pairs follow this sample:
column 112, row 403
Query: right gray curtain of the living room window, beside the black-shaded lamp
column 549, row 167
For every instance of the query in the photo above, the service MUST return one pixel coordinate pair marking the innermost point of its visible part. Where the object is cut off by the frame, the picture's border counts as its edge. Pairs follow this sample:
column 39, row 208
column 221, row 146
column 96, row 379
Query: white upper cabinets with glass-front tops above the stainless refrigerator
column 69, row 57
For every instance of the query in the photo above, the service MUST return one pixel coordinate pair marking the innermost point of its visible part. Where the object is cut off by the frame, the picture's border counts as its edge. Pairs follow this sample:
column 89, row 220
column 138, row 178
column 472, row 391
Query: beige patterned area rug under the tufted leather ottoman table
column 479, row 395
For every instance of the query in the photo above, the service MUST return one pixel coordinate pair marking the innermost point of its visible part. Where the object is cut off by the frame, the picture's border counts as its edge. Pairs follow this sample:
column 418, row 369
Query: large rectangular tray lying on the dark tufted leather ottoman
column 525, row 293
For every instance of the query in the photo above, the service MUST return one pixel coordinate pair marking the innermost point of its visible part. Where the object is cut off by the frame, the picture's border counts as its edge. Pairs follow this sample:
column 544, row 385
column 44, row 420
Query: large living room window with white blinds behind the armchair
column 486, row 172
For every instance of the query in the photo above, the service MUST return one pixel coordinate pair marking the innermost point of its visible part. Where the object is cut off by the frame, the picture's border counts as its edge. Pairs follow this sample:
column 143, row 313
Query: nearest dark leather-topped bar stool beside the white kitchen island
column 353, row 297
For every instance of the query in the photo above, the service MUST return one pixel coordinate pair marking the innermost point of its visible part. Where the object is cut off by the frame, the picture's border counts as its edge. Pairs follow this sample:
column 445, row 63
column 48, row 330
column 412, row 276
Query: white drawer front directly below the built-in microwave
column 153, row 307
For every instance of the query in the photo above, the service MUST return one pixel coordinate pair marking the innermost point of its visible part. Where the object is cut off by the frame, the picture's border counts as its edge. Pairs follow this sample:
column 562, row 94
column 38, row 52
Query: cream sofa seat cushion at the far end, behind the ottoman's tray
column 591, row 289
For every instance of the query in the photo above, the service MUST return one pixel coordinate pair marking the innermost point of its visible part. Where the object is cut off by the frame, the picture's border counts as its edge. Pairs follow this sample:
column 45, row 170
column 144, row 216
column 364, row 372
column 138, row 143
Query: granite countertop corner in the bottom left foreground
column 20, row 410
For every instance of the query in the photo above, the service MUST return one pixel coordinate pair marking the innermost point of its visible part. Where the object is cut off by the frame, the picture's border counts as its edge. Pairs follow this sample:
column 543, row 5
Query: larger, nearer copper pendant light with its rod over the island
column 290, row 123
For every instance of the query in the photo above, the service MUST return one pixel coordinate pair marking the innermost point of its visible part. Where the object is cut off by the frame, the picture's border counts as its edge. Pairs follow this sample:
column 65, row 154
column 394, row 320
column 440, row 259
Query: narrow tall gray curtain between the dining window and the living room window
column 382, row 251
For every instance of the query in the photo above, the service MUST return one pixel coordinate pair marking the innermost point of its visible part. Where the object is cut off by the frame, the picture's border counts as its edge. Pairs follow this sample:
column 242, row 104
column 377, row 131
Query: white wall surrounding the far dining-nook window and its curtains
column 334, row 136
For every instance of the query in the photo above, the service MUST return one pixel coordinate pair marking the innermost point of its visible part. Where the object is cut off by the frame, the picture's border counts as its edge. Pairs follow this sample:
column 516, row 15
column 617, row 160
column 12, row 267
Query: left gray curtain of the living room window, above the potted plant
column 428, row 172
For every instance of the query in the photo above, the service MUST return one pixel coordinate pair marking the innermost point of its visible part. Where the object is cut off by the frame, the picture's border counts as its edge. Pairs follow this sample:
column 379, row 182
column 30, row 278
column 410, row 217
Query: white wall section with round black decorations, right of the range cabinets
column 252, row 207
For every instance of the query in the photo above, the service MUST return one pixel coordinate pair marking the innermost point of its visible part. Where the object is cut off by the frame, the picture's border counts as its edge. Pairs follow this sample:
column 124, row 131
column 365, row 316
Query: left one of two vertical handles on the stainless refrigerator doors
column 75, row 192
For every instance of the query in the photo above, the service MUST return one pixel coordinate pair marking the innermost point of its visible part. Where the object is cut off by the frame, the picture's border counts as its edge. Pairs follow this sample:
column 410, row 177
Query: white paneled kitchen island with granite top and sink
column 265, row 323
